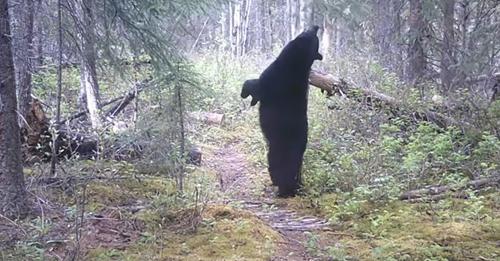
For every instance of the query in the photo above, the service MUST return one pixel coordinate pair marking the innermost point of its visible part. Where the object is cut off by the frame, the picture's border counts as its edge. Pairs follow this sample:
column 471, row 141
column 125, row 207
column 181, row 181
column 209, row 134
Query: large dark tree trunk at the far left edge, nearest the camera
column 13, row 196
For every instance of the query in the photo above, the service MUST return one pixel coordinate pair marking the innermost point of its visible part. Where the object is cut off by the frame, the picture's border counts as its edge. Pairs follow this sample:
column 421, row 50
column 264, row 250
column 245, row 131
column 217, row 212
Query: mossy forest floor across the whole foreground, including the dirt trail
column 115, row 210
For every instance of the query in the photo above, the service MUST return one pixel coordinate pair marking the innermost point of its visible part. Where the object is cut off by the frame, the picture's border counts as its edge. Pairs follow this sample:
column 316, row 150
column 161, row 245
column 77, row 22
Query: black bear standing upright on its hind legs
column 282, row 91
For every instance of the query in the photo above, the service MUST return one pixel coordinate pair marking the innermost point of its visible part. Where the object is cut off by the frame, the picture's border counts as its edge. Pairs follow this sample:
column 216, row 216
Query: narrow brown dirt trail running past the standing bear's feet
column 241, row 184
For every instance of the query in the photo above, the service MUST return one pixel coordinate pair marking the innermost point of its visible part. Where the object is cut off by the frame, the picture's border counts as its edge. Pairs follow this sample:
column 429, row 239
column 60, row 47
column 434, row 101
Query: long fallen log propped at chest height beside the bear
column 338, row 86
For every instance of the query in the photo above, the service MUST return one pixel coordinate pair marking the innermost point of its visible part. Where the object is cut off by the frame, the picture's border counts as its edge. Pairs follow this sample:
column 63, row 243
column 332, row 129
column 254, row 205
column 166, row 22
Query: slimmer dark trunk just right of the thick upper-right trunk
column 447, row 59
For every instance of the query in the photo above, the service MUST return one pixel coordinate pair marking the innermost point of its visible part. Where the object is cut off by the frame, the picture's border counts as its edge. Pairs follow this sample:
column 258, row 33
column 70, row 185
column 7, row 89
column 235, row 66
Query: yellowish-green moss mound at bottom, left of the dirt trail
column 224, row 234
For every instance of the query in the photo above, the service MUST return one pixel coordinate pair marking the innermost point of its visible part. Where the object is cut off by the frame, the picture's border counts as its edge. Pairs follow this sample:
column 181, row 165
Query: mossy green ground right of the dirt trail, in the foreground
column 452, row 229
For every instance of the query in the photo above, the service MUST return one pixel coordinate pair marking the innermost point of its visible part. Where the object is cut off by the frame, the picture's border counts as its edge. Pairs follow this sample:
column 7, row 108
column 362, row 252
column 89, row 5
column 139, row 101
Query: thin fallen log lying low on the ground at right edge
column 435, row 191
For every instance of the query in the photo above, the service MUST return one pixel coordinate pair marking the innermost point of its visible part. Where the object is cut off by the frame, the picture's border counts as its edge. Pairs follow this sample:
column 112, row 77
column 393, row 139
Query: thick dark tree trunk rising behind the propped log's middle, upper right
column 416, row 58
